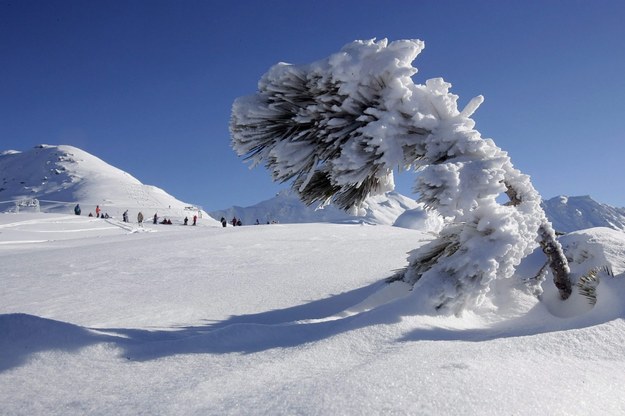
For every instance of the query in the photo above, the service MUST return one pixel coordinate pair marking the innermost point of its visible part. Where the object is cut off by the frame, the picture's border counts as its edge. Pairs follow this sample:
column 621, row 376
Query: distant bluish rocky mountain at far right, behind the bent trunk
column 574, row 213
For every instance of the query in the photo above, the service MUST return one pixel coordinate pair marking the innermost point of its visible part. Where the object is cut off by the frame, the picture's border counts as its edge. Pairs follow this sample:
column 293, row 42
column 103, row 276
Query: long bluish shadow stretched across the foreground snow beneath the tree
column 24, row 335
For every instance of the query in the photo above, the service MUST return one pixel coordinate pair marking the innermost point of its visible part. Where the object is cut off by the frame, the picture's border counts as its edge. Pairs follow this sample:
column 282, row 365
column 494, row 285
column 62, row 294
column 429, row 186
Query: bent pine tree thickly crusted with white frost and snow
column 338, row 127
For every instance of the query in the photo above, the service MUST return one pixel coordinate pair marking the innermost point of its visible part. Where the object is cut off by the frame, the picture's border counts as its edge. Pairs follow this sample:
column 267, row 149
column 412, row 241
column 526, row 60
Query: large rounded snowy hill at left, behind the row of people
column 61, row 176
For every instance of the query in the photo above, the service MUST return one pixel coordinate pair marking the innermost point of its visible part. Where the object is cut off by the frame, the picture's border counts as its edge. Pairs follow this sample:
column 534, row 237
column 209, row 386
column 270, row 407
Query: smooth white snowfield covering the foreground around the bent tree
column 100, row 317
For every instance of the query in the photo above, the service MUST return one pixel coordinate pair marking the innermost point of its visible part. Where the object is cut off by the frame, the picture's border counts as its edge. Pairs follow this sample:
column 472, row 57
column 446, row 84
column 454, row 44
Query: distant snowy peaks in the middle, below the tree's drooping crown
column 286, row 207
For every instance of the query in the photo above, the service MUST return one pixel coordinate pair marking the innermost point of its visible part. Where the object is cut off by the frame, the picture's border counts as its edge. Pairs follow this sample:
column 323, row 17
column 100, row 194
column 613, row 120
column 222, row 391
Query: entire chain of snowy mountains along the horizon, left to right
column 61, row 176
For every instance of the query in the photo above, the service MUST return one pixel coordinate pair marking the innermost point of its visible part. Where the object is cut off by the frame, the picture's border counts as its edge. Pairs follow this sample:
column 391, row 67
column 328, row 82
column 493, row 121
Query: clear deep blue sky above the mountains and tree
column 147, row 86
